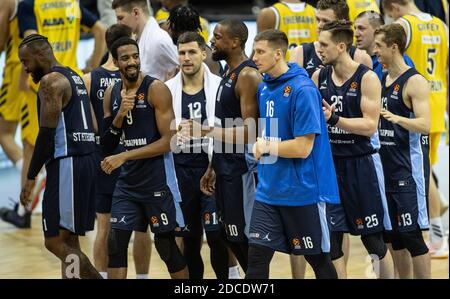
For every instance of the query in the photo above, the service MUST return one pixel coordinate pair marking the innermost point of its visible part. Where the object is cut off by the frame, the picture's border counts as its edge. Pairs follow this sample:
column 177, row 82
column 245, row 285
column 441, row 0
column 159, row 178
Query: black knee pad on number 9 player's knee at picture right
column 169, row 252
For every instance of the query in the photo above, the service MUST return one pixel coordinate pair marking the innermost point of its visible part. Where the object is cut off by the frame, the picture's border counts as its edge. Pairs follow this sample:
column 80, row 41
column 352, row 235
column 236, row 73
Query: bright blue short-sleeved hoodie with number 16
column 294, row 101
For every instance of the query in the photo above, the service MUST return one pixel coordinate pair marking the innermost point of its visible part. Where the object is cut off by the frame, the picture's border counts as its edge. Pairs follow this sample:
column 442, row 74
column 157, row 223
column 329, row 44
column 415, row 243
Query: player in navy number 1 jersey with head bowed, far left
column 65, row 144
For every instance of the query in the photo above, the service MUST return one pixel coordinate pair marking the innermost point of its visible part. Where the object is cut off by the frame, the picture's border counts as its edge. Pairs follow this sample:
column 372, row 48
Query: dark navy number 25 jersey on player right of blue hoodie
column 347, row 100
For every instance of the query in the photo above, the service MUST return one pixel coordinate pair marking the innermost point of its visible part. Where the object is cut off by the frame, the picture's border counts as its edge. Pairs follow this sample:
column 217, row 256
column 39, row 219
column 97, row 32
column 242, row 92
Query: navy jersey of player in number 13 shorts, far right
column 402, row 151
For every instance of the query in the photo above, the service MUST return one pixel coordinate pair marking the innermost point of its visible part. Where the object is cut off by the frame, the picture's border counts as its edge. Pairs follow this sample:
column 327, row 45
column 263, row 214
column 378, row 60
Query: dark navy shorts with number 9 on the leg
column 132, row 215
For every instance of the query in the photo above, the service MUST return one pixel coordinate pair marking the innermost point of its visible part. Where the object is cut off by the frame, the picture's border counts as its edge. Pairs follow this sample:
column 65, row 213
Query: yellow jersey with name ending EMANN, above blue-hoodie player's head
column 298, row 21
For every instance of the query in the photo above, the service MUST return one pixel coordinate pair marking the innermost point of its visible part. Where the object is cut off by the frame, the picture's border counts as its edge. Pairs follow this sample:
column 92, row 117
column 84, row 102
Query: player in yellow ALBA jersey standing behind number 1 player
column 61, row 24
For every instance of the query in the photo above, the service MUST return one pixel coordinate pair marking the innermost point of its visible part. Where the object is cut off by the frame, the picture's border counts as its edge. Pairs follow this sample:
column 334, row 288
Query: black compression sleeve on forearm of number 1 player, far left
column 43, row 151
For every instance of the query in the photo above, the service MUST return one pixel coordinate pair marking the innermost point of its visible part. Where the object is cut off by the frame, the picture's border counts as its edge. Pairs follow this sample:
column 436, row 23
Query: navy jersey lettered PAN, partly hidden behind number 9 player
column 101, row 79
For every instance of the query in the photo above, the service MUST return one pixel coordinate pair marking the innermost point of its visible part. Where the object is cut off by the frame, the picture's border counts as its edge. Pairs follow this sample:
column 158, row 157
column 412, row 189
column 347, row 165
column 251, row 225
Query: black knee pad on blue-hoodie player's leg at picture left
column 259, row 258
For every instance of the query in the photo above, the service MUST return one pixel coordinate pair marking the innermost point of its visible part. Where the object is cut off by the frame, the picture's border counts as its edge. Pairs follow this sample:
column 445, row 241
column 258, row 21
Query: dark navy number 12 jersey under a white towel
column 194, row 153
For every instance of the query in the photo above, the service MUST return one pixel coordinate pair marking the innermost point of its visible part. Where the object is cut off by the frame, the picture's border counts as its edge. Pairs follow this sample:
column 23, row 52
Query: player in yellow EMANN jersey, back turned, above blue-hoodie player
column 294, row 17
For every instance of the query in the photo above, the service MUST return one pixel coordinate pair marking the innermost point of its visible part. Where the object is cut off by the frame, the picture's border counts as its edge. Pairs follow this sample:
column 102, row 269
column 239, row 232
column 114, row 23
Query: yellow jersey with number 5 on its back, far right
column 427, row 45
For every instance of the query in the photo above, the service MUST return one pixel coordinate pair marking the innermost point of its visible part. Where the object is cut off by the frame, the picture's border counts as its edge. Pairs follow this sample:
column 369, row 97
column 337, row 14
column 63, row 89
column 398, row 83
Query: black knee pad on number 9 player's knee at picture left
column 118, row 248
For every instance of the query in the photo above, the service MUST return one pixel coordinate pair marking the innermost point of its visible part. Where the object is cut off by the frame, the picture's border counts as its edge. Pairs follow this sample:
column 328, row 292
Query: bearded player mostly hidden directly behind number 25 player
column 307, row 55
